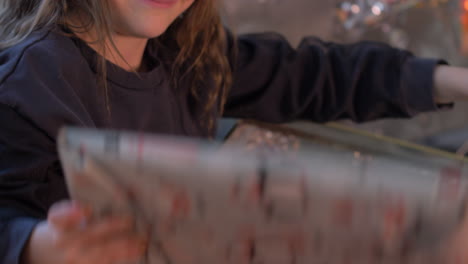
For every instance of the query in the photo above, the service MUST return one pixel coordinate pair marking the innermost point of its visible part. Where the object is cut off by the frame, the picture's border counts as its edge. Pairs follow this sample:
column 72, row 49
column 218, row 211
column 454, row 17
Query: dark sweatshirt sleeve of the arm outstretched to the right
column 323, row 82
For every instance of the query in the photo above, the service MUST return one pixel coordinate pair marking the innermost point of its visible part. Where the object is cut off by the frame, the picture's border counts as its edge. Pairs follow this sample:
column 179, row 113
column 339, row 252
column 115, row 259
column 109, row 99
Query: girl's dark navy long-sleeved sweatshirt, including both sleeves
column 49, row 80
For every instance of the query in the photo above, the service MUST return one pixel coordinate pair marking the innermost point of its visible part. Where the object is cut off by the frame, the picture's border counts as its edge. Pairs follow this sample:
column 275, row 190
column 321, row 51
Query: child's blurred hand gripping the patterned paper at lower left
column 68, row 238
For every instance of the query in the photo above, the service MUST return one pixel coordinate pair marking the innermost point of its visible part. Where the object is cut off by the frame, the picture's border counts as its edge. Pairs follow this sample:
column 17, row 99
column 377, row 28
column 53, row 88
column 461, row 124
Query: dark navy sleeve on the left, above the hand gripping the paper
column 37, row 96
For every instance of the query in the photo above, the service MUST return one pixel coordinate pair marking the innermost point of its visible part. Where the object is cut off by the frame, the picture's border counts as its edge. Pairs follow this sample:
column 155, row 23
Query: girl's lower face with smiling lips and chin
column 146, row 18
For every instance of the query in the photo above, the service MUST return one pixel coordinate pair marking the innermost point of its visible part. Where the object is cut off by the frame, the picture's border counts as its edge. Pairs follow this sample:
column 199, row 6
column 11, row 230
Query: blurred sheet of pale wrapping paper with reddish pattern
column 266, row 197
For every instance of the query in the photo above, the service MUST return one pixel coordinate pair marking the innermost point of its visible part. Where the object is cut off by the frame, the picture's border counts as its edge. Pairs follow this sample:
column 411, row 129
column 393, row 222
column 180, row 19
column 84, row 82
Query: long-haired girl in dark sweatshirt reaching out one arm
column 169, row 67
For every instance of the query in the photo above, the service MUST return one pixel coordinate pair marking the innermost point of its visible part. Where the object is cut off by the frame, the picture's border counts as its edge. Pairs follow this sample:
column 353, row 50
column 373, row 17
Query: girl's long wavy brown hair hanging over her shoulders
column 197, row 38
